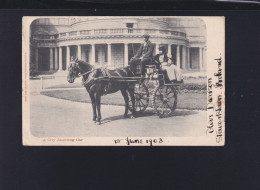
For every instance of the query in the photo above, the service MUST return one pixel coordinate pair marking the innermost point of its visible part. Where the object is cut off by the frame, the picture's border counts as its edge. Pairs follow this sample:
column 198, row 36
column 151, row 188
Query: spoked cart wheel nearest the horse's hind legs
column 141, row 98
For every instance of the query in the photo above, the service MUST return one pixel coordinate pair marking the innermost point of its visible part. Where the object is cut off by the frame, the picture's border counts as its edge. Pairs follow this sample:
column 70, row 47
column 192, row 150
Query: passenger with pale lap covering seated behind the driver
column 173, row 72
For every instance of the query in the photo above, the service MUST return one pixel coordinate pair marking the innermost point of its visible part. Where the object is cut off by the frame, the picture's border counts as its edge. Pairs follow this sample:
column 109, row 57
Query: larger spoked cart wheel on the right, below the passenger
column 165, row 100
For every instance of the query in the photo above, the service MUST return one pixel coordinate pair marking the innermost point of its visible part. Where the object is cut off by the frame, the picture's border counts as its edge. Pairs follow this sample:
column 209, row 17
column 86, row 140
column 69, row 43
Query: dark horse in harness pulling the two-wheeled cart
column 97, row 87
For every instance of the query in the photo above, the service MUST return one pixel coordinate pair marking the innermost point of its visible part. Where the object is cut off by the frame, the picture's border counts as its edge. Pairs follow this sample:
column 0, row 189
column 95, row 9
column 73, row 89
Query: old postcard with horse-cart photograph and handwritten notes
column 123, row 81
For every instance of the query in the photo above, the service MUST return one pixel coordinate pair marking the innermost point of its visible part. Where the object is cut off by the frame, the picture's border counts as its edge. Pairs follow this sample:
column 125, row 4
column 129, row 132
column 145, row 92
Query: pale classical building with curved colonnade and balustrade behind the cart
column 112, row 41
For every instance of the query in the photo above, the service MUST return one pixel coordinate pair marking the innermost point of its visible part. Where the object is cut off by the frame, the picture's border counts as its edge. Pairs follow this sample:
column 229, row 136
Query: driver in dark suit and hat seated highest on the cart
column 143, row 55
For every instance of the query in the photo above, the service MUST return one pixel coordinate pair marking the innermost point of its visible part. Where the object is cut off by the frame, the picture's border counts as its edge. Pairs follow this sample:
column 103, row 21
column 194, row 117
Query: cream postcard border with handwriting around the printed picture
column 215, row 27
